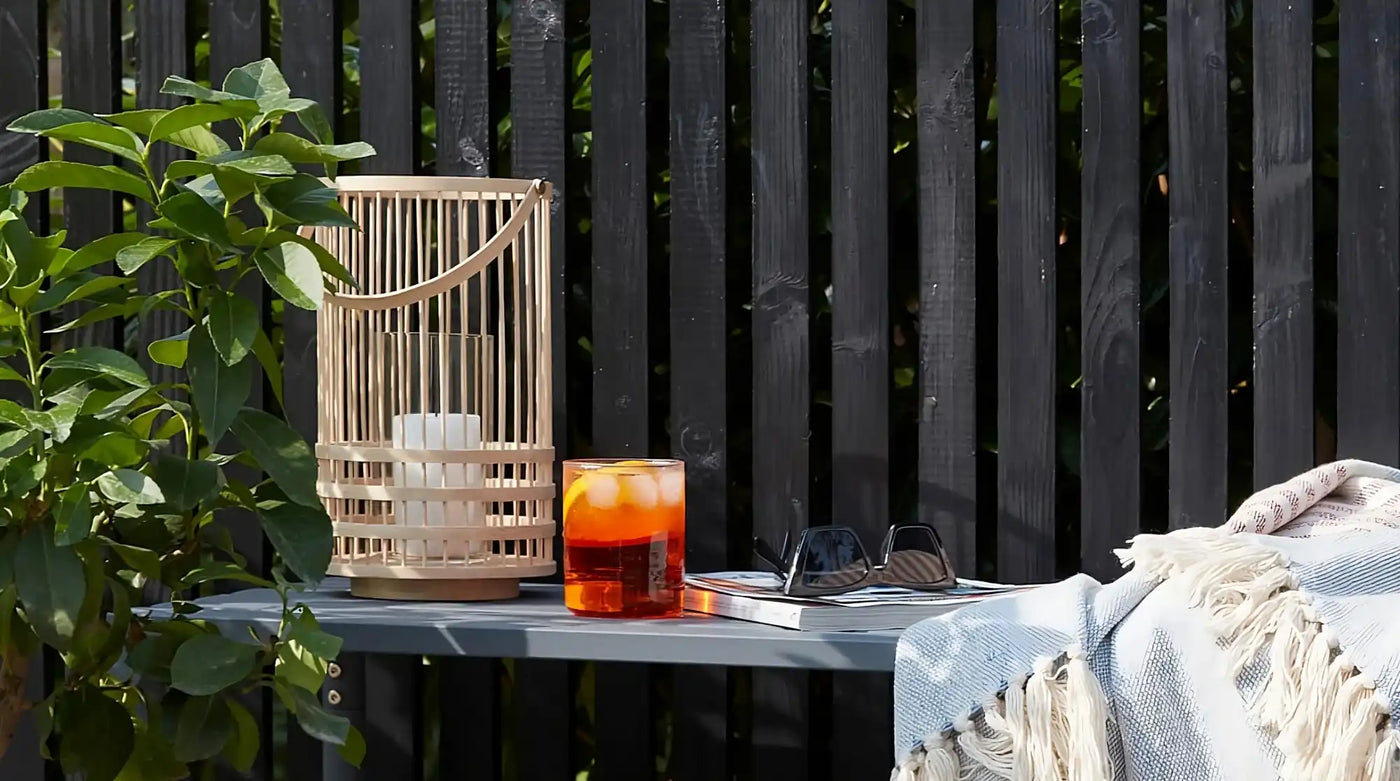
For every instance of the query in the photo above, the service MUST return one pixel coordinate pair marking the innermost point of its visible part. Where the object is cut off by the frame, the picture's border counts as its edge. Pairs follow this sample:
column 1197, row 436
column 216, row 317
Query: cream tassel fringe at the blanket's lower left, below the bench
column 1051, row 726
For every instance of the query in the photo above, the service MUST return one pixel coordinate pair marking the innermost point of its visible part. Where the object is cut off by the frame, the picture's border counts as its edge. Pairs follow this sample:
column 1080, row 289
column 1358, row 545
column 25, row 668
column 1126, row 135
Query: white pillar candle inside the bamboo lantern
column 437, row 432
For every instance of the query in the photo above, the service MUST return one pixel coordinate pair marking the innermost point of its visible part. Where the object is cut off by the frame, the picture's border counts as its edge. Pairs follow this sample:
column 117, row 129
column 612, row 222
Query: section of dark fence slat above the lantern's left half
column 388, row 78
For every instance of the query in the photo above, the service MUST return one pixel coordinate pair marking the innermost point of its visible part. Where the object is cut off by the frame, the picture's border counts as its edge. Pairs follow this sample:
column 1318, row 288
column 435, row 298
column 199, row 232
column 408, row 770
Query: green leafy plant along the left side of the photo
column 113, row 484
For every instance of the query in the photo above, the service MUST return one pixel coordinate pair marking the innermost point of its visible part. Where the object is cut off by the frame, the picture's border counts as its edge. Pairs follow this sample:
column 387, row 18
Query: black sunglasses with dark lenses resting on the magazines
column 831, row 561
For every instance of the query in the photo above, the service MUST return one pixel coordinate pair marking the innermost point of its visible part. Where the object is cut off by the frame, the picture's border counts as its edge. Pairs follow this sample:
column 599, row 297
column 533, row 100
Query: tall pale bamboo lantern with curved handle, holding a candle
column 435, row 432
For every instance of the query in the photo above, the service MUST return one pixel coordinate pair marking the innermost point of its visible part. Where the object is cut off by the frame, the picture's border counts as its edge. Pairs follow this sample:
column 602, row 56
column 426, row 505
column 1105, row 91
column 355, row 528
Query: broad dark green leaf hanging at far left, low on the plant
column 51, row 586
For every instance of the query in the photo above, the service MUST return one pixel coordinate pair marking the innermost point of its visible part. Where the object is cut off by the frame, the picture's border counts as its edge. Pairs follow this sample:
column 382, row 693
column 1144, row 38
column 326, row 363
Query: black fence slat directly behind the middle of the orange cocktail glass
column 621, row 362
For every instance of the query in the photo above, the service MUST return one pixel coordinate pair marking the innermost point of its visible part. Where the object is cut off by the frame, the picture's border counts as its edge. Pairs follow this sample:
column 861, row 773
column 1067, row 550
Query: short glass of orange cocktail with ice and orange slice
column 625, row 538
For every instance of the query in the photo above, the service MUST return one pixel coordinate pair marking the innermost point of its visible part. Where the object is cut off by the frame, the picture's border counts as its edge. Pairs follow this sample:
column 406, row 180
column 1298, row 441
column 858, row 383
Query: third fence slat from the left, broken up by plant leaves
column 163, row 48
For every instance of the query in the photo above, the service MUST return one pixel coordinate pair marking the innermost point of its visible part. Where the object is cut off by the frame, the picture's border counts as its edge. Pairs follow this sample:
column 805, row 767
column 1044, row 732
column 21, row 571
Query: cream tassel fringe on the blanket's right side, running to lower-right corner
column 1325, row 715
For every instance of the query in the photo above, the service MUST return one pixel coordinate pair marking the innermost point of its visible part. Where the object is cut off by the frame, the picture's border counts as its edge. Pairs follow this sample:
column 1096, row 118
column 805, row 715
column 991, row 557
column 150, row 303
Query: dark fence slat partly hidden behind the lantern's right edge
column 542, row 695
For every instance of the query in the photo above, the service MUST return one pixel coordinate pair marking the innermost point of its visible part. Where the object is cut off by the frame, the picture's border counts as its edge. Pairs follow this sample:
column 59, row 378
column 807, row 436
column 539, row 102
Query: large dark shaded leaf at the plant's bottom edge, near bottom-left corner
column 96, row 734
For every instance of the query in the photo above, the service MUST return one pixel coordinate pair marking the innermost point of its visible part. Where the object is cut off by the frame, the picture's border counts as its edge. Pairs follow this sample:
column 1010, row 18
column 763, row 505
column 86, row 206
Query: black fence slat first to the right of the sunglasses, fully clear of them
column 1027, row 292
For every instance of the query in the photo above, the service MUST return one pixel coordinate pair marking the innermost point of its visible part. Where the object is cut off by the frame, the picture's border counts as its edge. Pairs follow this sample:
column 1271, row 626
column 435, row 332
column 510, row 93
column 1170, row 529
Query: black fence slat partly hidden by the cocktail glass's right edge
column 699, row 384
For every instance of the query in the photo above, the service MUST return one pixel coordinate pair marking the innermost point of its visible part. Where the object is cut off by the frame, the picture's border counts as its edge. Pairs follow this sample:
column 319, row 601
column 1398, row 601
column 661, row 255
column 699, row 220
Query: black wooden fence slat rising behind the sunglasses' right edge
column 948, row 278
